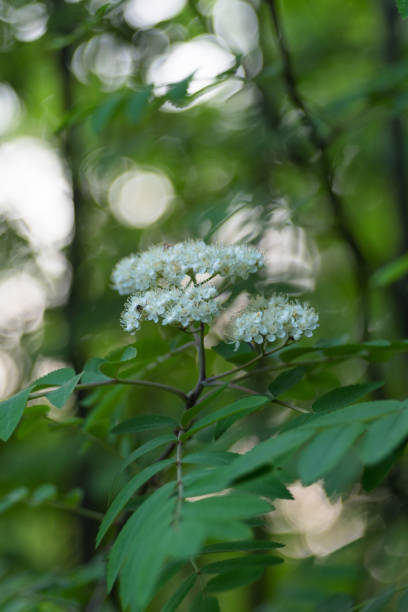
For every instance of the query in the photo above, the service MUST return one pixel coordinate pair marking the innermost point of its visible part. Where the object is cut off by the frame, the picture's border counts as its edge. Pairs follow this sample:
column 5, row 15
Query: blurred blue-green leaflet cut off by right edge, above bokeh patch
column 384, row 436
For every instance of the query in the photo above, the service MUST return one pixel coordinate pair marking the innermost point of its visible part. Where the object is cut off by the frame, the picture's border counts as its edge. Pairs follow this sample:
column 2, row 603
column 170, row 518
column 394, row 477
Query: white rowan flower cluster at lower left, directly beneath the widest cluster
column 172, row 306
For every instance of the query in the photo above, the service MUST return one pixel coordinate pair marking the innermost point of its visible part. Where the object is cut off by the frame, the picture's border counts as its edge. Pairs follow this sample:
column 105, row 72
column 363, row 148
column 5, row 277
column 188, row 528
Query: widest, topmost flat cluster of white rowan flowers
column 168, row 265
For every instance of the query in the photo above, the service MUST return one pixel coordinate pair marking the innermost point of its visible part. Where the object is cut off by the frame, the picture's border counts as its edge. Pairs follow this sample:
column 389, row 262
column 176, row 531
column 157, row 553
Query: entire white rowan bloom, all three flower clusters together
column 170, row 284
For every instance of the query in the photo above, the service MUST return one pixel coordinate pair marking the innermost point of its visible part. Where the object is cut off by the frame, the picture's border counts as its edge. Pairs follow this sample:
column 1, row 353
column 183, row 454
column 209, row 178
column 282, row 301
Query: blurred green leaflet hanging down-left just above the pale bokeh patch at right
column 323, row 453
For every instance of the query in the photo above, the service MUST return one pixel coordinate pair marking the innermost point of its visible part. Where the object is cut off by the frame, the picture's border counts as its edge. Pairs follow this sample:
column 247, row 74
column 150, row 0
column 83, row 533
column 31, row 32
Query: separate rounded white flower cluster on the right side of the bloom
column 267, row 320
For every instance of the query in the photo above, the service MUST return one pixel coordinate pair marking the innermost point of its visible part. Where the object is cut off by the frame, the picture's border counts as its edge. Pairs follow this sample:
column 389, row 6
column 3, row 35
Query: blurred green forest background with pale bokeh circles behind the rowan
column 125, row 124
